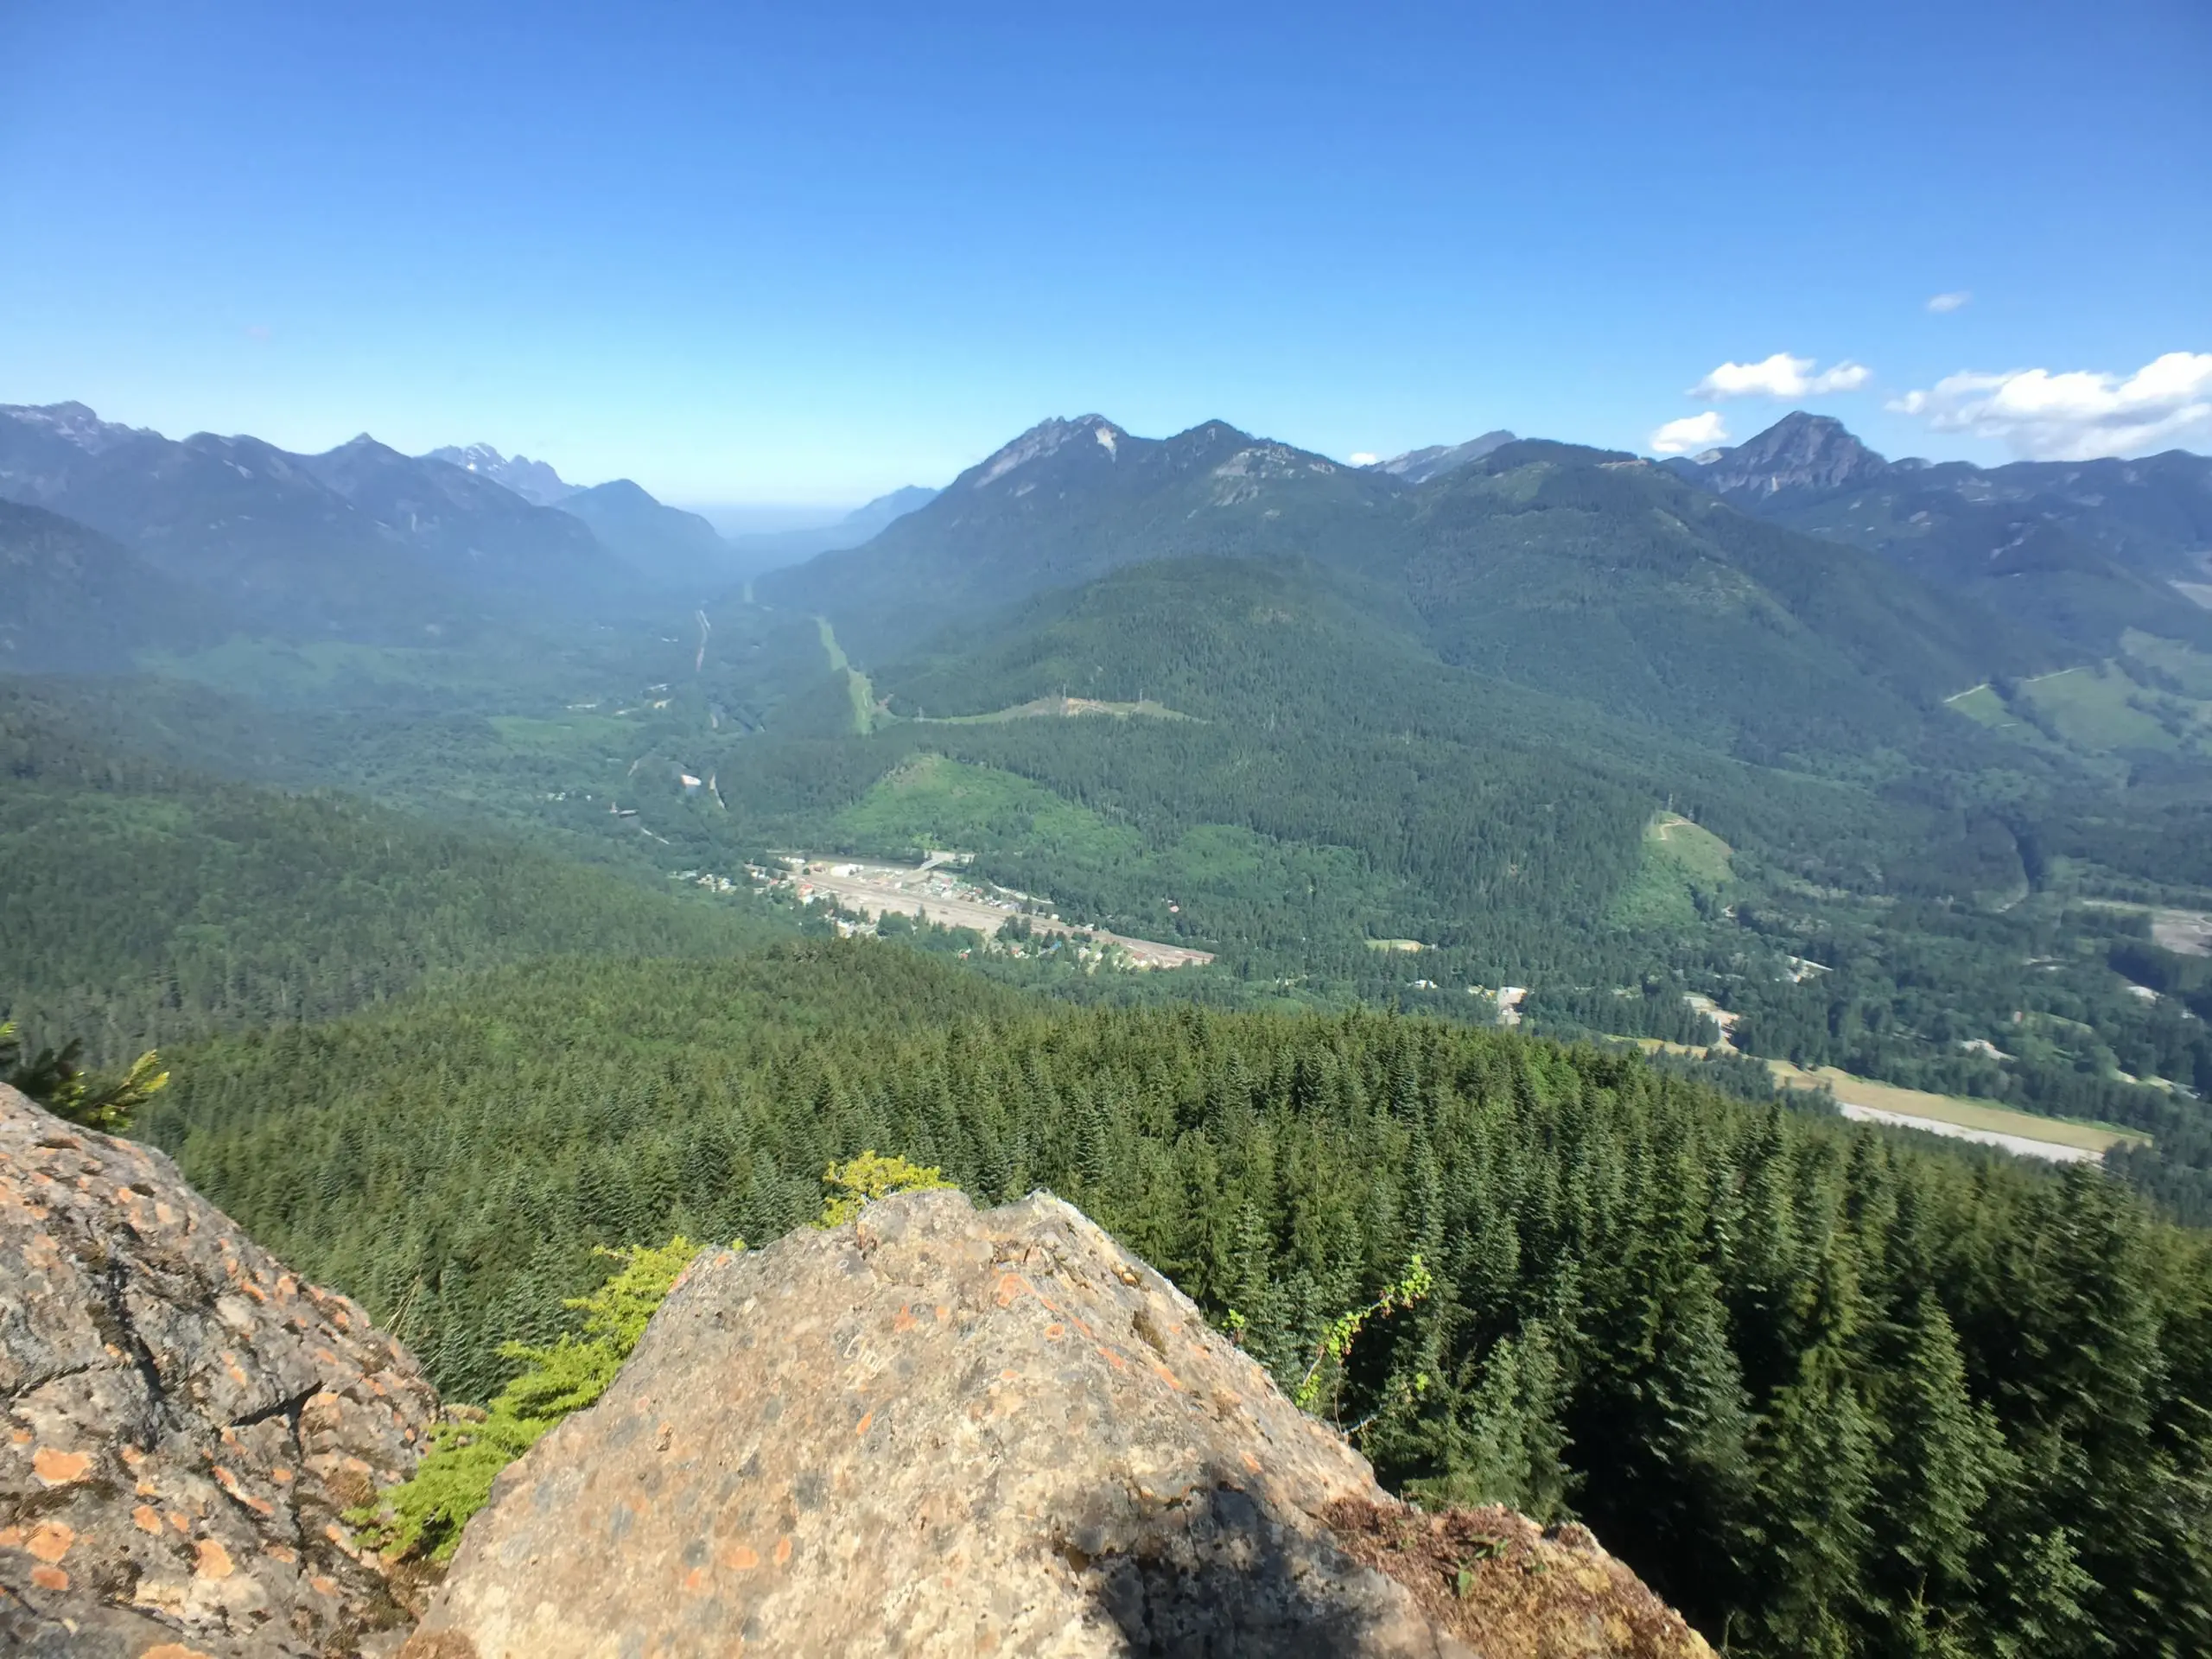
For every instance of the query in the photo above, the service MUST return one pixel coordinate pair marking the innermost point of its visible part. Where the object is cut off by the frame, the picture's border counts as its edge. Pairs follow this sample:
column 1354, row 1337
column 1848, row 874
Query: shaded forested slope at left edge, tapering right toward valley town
column 145, row 901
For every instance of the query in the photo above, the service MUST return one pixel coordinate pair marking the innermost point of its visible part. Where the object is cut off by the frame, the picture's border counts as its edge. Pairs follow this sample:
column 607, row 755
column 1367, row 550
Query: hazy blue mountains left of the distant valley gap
column 156, row 541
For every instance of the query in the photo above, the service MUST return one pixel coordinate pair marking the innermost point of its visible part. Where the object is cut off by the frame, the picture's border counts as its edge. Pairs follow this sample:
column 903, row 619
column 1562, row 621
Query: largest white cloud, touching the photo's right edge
column 2076, row 415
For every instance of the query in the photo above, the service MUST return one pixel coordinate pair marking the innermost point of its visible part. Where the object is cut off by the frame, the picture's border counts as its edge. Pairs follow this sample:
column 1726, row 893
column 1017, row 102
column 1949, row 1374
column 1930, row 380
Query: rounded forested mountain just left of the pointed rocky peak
column 1603, row 578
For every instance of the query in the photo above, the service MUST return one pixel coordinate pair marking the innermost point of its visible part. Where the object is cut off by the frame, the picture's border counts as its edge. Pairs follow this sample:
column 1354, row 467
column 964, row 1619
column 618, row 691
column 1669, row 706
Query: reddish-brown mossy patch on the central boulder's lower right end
column 1501, row 1585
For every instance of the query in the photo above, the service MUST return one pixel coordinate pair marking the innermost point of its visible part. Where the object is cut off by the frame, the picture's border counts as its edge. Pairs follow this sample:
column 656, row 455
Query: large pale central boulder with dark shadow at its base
column 939, row 1432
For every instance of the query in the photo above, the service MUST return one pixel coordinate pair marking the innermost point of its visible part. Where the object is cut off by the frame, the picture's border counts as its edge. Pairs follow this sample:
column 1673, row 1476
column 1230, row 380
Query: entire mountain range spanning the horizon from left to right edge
column 1793, row 596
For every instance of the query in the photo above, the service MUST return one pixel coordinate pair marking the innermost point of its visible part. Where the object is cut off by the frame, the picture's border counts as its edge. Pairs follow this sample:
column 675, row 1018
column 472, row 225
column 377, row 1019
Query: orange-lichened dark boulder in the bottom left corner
column 185, row 1419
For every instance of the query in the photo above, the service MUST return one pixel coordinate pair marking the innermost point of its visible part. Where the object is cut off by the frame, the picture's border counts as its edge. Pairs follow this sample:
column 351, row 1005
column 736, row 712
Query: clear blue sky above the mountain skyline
column 808, row 253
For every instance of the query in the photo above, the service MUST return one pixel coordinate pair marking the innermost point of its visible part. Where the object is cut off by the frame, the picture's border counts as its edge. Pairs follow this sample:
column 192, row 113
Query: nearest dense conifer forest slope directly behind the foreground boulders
column 1826, row 1390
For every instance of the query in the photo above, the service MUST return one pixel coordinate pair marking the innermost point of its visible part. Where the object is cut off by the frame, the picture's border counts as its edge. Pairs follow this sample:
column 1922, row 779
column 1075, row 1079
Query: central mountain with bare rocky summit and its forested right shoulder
column 1574, row 572
